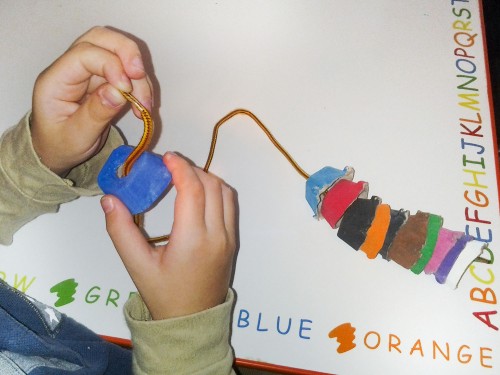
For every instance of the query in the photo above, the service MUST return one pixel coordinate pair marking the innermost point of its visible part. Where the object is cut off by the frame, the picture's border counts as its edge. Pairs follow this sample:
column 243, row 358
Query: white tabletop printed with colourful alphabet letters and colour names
column 378, row 86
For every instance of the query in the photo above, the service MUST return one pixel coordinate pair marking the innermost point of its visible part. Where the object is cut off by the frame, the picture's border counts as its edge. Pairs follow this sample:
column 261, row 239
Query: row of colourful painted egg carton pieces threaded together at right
column 417, row 242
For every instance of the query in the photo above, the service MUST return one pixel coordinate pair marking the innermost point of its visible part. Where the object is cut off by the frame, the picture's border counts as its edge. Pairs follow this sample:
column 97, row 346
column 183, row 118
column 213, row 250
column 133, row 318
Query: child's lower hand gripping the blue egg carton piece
column 192, row 272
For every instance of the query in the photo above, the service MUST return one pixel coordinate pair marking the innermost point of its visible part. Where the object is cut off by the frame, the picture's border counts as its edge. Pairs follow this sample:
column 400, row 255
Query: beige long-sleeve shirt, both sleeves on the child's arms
column 196, row 344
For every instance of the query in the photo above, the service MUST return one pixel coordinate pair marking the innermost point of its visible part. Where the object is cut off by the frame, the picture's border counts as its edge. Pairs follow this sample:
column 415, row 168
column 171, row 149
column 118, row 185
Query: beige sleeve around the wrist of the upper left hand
column 29, row 189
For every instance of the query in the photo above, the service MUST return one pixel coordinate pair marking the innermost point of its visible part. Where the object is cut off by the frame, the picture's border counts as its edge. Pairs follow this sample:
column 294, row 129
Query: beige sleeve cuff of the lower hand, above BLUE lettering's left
column 197, row 344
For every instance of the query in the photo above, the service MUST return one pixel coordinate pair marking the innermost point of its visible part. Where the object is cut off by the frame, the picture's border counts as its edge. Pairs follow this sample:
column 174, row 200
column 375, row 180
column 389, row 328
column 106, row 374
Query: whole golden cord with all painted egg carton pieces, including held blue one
column 417, row 242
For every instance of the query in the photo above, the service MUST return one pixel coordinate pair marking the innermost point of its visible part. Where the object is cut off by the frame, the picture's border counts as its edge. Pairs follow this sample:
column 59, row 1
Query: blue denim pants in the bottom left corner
column 36, row 339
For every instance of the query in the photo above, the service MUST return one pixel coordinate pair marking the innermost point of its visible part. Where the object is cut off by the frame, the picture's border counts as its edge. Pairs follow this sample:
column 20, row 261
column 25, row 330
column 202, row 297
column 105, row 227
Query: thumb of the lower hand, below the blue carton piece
column 128, row 240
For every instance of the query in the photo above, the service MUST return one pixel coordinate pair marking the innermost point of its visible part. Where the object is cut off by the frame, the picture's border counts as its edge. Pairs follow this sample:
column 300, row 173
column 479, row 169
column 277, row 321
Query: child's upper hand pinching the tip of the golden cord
column 75, row 98
